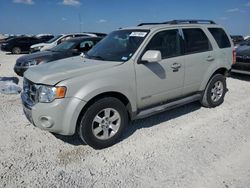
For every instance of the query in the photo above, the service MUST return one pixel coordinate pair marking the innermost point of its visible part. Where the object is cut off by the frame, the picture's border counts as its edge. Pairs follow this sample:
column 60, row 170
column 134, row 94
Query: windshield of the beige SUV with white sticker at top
column 118, row 46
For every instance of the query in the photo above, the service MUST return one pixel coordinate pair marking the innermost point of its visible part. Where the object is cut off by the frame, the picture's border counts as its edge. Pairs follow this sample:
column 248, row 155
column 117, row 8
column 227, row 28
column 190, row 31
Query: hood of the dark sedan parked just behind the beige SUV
column 43, row 55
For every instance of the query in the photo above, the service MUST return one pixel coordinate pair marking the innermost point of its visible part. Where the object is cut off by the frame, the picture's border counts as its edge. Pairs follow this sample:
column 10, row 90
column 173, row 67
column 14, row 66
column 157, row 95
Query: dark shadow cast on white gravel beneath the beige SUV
column 140, row 124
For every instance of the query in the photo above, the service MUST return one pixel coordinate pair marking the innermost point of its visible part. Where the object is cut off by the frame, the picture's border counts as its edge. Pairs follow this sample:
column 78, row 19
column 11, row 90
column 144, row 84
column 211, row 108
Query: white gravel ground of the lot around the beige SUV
column 190, row 146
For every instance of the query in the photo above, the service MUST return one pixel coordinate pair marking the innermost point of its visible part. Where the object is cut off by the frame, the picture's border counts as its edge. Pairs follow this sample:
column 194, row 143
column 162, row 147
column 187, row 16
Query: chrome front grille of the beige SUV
column 30, row 90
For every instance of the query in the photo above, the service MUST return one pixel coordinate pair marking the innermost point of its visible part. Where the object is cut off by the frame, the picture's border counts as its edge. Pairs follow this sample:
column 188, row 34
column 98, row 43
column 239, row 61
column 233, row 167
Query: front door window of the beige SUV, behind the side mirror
column 167, row 42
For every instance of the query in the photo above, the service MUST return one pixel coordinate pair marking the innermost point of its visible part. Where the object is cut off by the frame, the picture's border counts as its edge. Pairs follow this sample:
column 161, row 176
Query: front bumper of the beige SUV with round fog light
column 59, row 116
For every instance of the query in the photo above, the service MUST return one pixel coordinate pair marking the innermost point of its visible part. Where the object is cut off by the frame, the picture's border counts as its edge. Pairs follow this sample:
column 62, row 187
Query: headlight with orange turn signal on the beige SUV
column 48, row 94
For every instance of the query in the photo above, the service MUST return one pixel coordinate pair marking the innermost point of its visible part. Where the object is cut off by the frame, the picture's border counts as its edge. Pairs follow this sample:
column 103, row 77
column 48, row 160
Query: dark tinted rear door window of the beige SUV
column 196, row 41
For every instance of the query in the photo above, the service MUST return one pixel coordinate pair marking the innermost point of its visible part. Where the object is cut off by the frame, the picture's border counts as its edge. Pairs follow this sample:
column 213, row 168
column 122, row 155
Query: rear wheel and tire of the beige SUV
column 215, row 91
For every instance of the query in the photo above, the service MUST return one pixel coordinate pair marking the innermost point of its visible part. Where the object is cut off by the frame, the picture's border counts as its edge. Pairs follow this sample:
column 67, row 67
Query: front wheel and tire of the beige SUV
column 103, row 123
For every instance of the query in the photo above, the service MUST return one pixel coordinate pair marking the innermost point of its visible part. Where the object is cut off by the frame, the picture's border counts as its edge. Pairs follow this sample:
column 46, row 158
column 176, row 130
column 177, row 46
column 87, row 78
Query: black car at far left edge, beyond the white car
column 19, row 45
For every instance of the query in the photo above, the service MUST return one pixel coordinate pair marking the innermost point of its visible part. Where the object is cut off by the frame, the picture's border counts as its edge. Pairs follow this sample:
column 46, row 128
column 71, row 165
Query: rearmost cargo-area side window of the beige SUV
column 220, row 37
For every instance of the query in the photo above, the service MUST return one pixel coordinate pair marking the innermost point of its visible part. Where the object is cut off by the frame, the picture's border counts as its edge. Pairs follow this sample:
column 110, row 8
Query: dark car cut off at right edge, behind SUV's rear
column 242, row 64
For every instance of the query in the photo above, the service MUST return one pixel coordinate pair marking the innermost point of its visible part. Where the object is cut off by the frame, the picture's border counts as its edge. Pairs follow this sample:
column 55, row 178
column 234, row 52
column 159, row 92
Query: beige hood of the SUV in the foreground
column 57, row 71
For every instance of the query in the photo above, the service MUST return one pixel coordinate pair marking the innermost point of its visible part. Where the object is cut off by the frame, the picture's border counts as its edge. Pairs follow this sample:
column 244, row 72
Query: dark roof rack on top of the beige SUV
column 173, row 22
